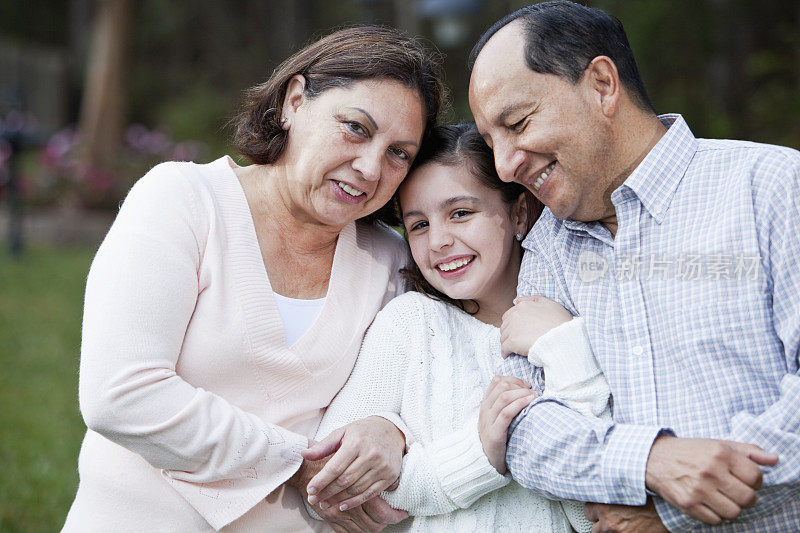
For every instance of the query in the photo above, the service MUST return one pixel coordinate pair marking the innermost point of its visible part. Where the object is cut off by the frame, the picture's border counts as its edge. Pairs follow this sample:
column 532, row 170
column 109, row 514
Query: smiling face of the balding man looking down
column 547, row 134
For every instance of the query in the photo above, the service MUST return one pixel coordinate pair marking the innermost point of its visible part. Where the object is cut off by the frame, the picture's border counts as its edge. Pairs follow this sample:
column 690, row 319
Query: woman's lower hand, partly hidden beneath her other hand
column 372, row 516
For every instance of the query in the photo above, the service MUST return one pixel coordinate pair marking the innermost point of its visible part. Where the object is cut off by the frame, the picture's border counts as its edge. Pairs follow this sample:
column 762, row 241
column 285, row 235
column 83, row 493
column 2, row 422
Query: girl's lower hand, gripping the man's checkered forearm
column 504, row 400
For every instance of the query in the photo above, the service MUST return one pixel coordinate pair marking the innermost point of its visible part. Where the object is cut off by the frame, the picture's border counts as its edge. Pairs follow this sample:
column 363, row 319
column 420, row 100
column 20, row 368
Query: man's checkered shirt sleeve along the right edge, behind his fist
column 777, row 429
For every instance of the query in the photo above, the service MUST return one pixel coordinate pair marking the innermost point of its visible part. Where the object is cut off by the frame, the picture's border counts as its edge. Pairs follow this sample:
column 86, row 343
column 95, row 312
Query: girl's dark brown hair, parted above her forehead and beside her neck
column 453, row 145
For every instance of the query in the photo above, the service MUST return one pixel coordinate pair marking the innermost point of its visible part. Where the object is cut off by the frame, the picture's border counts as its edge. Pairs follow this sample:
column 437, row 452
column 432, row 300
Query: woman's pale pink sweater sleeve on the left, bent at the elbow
column 140, row 295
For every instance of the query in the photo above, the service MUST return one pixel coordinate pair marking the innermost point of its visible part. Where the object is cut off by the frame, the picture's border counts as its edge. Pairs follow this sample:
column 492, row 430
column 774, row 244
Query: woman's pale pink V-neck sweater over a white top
column 196, row 409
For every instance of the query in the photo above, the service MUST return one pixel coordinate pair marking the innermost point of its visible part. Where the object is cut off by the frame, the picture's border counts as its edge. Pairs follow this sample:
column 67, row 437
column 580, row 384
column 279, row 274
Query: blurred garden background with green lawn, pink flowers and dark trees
column 95, row 92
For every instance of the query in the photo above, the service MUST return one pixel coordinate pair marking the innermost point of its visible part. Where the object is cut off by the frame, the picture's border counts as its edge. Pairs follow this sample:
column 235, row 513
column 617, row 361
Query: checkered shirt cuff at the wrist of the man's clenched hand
column 624, row 462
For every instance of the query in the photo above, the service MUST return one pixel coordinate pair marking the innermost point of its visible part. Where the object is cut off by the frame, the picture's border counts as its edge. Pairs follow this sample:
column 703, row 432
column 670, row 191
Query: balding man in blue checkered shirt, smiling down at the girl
column 683, row 256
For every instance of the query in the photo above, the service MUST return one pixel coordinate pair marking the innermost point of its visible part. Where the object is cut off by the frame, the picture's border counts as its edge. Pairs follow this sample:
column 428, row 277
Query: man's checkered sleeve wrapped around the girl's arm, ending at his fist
column 554, row 450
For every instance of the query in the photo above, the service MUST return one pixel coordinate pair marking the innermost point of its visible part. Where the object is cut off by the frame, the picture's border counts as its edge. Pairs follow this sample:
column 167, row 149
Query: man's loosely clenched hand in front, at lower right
column 711, row 480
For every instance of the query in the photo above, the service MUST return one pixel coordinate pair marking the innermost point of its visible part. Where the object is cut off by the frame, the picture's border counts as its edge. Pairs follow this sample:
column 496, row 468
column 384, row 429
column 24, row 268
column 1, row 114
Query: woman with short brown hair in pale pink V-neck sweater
column 227, row 304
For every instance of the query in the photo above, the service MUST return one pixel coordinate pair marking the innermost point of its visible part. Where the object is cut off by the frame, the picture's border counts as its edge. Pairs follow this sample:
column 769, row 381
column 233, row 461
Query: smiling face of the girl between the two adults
column 462, row 235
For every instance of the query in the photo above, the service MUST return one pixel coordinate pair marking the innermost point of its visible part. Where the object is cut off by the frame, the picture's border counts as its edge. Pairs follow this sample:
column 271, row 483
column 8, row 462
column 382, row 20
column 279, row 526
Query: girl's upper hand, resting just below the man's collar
column 523, row 324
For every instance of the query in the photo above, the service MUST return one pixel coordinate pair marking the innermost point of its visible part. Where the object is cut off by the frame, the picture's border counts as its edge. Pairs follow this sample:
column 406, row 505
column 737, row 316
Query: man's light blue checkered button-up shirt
column 693, row 311
